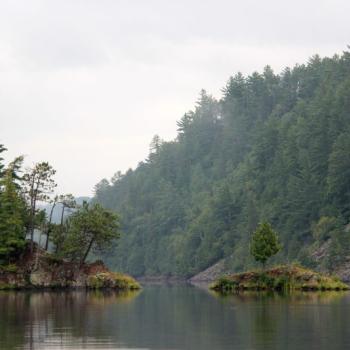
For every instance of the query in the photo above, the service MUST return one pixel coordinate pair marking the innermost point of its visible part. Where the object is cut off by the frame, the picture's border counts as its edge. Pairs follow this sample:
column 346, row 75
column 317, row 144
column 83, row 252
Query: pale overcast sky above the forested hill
column 85, row 84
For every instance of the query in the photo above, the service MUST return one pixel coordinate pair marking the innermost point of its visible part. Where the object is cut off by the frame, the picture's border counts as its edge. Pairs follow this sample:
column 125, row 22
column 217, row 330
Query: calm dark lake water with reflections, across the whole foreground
column 174, row 317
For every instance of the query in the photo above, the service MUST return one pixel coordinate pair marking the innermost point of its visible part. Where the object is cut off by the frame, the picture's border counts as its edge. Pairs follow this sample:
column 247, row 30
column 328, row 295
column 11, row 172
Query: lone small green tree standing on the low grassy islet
column 264, row 243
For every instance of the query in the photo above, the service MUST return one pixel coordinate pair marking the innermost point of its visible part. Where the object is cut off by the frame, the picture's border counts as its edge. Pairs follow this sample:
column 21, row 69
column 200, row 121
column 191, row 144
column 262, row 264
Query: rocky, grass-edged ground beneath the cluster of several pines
column 40, row 270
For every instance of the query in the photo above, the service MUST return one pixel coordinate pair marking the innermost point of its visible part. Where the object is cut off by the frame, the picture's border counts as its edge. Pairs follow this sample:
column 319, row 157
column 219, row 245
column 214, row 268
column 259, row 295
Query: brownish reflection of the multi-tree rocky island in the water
column 28, row 319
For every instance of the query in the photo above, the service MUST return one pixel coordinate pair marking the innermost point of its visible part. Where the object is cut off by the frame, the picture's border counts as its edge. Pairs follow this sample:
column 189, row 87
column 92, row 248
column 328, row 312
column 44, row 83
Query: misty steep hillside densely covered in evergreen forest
column 274, row 147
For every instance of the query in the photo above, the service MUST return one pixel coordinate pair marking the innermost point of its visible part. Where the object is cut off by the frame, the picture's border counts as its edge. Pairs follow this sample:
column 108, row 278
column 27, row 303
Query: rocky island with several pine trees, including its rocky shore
column 35, row 251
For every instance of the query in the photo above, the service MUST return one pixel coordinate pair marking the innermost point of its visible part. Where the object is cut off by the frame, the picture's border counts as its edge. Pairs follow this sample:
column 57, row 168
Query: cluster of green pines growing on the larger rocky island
column 22, row 193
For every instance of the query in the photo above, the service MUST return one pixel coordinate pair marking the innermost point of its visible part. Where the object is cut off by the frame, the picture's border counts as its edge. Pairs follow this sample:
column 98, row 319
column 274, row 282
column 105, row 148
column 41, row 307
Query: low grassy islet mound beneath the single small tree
column 280, row 278
